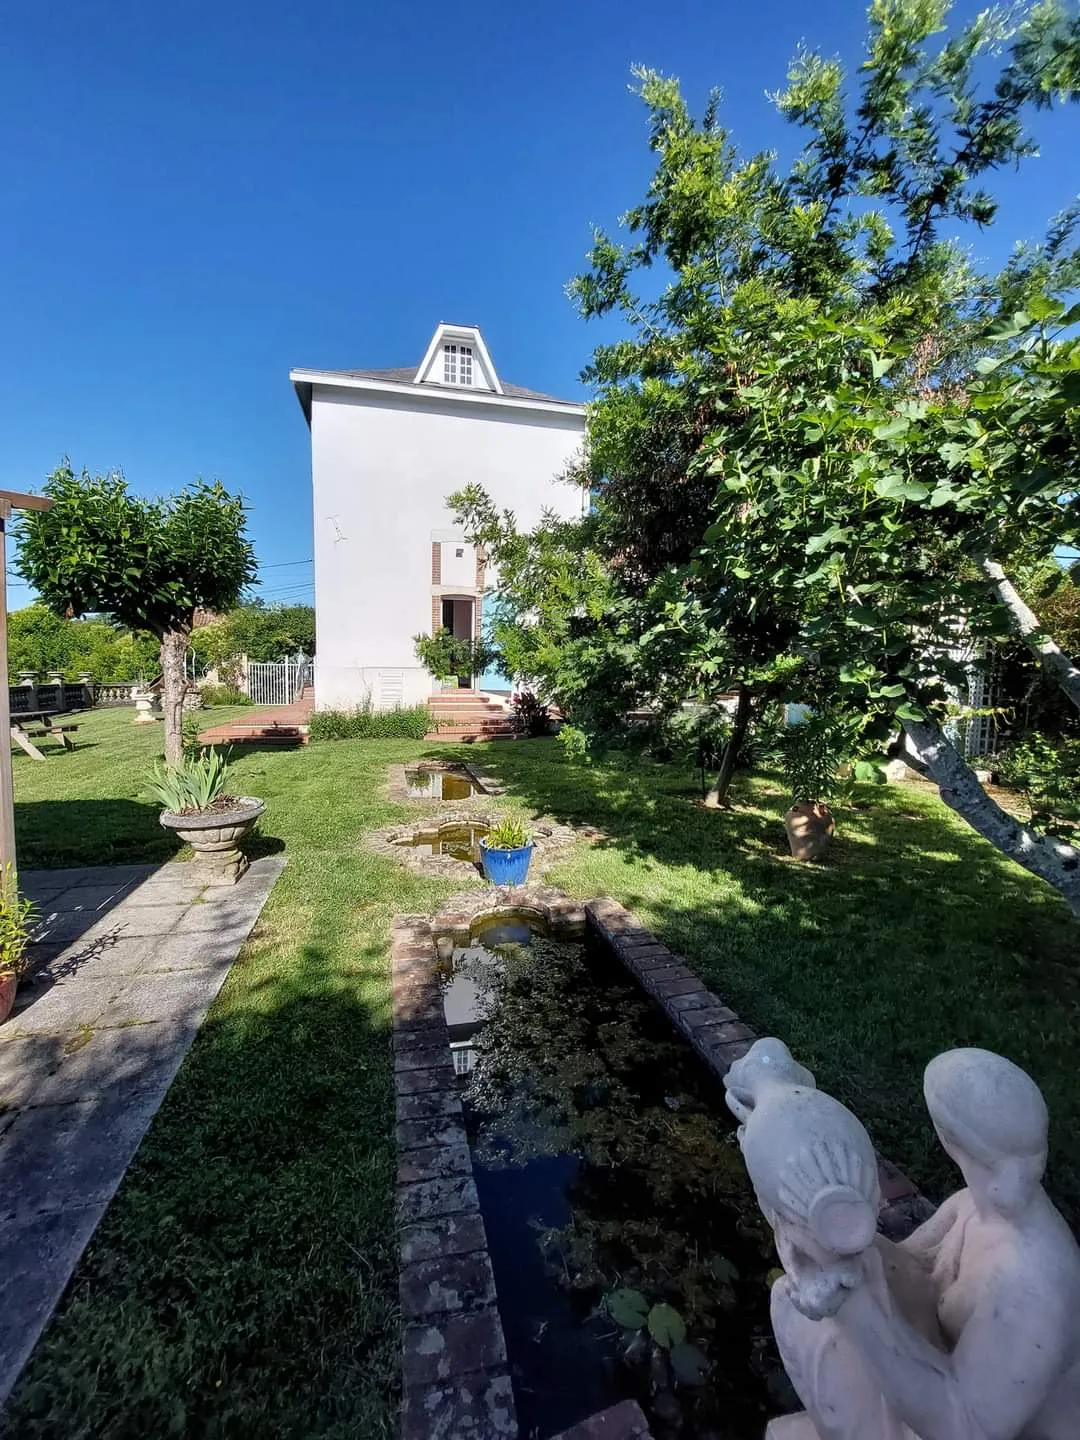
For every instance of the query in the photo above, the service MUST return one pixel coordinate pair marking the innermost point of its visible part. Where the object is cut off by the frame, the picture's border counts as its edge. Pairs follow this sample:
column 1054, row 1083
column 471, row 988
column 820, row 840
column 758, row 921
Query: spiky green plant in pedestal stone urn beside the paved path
column 204, row 816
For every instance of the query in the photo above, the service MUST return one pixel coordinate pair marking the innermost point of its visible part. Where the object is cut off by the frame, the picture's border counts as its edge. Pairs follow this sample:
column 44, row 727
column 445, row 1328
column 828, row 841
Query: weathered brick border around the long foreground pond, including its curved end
column 454, row 1364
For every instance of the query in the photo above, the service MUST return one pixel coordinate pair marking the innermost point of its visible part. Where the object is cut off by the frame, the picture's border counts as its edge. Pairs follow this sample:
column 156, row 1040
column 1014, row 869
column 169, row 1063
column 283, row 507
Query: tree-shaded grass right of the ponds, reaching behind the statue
column 911, row 938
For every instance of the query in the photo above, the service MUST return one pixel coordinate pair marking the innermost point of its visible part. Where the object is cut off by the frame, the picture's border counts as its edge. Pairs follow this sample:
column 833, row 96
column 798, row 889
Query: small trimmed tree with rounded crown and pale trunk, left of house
column 148, row 564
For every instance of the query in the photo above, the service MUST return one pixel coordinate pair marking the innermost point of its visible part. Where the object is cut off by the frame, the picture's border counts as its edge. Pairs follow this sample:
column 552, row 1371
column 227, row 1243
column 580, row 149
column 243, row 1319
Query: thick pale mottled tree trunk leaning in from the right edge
column 1052, row 860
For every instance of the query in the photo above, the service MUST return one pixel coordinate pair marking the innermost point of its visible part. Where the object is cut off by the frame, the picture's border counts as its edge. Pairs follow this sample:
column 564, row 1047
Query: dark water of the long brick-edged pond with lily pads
column 630, row 1255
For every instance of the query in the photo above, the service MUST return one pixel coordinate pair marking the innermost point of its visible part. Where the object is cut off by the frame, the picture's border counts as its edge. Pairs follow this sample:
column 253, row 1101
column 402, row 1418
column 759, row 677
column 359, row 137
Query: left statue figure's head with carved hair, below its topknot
column 816, row 1177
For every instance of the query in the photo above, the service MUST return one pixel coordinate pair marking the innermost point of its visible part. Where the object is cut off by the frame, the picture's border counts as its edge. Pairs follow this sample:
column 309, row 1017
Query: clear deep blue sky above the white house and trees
column 201, row 197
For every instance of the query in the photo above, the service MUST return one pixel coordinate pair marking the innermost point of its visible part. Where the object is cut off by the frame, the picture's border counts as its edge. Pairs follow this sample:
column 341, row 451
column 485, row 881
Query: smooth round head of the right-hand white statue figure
column 993, row 1121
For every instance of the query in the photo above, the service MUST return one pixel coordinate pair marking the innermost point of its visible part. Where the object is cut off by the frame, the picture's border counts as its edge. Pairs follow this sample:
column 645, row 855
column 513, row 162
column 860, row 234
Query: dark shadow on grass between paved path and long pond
column 243, row 1282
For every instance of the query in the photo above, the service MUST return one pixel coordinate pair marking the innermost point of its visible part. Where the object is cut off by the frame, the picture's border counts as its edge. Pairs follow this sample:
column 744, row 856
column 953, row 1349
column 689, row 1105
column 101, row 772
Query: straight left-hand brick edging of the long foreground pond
column 454, row 1364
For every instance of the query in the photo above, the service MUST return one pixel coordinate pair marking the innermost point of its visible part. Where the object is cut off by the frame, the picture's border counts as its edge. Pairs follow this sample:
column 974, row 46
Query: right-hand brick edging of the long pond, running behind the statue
column 719, row 1036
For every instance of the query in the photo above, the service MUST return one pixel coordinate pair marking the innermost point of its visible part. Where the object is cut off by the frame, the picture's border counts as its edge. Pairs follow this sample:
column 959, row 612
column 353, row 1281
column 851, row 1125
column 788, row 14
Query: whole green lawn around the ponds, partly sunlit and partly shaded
column 243, row 1284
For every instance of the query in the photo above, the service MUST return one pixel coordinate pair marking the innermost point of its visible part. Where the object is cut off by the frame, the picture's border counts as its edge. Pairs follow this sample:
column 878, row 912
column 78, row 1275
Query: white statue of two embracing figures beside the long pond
column 970, row 1330
